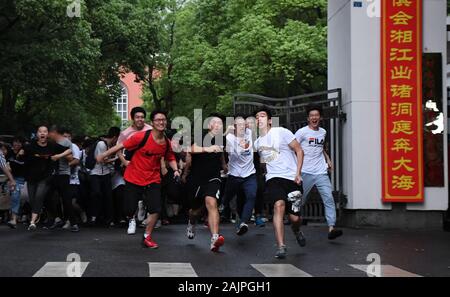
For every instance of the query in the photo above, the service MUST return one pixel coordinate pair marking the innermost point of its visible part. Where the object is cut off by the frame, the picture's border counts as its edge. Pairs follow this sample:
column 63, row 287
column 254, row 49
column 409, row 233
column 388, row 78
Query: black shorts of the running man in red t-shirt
column 151, row 195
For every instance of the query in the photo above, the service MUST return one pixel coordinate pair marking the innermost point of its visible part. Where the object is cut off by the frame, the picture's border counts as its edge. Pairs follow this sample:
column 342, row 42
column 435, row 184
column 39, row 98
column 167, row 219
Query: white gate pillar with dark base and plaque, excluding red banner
column 355, row 66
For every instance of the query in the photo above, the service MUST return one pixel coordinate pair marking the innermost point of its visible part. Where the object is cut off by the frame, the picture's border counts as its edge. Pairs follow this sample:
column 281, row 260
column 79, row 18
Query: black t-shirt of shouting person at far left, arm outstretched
column 38, row 163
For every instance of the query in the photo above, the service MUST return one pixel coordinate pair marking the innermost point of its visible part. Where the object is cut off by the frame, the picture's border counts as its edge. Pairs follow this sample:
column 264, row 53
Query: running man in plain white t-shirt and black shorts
column 283, row 157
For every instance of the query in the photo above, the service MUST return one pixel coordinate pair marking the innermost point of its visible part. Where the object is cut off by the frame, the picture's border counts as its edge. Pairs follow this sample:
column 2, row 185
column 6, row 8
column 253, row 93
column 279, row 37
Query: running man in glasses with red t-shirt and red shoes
column 142, row 175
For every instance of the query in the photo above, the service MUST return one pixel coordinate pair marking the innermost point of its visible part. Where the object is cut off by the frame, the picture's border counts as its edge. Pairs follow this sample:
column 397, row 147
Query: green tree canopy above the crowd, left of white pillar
column 66, row 70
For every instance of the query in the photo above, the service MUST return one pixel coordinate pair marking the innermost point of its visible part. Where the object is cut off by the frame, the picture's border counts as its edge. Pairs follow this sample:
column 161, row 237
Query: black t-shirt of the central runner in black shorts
column 206, row 166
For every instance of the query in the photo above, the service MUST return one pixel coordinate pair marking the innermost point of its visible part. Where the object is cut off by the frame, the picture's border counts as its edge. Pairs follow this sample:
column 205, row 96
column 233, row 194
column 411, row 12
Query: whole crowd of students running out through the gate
column 145, row 175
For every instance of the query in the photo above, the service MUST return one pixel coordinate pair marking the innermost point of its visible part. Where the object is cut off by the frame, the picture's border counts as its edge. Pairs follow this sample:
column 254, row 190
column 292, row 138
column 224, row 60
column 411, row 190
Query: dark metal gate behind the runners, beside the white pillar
column 291, row 114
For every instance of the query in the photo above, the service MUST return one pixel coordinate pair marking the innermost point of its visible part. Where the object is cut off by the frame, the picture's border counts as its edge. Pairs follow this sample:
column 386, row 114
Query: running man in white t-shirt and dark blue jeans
column 241, row 171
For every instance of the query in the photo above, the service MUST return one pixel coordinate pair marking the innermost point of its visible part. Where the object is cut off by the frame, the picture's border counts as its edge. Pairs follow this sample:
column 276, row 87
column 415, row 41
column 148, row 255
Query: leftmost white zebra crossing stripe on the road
column 62, row 269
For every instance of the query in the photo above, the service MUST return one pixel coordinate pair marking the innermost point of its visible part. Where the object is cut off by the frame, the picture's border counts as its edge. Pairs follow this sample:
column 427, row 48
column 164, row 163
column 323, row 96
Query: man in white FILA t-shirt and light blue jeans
column 316, row 165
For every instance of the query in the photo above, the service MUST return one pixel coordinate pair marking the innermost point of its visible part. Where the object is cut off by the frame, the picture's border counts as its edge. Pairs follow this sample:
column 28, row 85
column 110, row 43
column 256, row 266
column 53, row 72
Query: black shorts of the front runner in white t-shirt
column 279, row 189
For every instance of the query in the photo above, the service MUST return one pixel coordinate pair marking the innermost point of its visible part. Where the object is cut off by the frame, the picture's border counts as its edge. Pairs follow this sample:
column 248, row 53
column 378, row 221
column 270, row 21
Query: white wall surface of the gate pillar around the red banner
column 354, row 65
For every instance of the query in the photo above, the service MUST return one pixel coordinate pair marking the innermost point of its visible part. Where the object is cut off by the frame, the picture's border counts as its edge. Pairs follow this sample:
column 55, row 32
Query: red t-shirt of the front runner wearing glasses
column 145, row 166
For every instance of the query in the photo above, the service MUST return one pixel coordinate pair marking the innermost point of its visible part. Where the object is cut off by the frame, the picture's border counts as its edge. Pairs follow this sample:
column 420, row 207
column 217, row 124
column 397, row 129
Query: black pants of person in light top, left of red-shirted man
column 101, row 197
